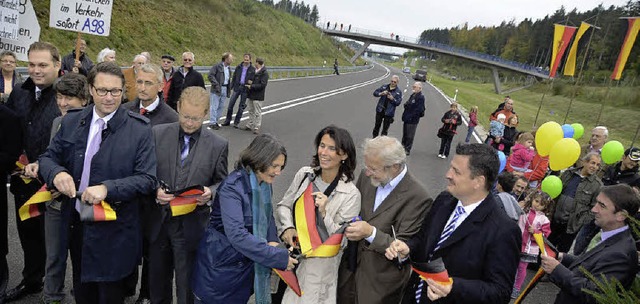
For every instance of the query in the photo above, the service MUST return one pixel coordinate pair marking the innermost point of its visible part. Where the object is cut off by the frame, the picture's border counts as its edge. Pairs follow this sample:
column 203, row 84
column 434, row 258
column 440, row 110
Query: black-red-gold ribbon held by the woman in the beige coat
column 312, row 234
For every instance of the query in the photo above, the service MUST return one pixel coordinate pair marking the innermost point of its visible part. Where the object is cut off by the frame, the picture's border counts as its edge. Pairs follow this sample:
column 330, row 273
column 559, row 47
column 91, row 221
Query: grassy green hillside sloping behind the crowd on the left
column 208, row 28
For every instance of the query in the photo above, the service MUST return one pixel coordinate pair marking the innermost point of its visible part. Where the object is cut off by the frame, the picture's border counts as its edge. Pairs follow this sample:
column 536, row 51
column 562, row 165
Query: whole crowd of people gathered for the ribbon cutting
column 139, row 189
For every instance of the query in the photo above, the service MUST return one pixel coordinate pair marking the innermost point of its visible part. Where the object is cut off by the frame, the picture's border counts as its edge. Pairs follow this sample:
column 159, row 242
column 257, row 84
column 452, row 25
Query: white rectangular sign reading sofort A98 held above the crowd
column 84, row 16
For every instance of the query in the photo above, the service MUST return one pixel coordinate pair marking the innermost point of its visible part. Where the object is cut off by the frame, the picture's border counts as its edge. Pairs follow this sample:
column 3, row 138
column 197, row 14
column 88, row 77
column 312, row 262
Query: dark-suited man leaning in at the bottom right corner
column 611, row 252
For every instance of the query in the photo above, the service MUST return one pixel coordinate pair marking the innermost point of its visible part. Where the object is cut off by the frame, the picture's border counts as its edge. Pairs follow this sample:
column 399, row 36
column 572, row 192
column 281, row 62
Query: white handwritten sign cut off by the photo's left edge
column 28, row 30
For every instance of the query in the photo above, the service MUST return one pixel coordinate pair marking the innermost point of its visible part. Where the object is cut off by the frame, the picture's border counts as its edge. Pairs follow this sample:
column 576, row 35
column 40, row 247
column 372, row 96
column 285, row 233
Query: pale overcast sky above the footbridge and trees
column 410, row 18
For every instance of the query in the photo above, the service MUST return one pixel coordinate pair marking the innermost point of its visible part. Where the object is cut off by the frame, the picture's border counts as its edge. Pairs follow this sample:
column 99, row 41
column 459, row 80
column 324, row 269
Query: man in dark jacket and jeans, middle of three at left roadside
column 241, row 77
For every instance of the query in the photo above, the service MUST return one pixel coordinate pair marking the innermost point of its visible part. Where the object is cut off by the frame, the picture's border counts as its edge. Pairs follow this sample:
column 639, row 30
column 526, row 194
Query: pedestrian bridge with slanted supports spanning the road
column 369, row 37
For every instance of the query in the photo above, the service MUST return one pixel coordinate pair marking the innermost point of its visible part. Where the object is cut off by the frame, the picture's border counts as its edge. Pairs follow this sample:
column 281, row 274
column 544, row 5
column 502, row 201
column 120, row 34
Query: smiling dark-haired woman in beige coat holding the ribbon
column 335, row 160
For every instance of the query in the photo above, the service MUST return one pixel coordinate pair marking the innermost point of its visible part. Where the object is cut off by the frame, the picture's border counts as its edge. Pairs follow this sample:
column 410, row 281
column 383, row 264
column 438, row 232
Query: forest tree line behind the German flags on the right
column 531, row 41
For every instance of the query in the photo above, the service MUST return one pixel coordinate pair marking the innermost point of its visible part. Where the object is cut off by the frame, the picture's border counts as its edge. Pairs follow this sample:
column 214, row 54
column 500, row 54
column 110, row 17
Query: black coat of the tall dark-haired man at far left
column 36, row 117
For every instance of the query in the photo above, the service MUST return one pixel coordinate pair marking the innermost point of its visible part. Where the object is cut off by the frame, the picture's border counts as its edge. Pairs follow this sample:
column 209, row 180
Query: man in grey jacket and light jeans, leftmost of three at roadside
column 220, row 78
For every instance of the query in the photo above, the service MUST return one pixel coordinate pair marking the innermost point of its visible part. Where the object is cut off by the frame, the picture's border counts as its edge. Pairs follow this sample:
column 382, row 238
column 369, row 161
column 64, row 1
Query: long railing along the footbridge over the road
column 442, row 46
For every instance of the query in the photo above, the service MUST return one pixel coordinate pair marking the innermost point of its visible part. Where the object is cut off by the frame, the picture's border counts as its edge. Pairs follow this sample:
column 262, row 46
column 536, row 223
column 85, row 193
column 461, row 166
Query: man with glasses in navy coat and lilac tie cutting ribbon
column 106, row 153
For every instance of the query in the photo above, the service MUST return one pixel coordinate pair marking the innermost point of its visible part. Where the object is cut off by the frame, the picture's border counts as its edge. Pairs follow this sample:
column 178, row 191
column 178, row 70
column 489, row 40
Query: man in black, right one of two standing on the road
column 413, row 111
